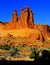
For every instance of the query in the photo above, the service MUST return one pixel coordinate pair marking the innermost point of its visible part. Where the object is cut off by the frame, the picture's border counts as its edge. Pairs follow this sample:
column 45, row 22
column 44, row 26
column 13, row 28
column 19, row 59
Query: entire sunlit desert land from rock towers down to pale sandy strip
column 20, row 37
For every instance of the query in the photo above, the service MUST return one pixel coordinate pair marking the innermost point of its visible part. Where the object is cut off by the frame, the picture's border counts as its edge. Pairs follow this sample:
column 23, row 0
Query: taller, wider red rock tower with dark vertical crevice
column 26, row 18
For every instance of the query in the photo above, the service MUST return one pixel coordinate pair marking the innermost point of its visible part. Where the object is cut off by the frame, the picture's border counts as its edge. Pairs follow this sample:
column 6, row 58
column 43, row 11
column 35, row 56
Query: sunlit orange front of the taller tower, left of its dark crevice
column 23, row 18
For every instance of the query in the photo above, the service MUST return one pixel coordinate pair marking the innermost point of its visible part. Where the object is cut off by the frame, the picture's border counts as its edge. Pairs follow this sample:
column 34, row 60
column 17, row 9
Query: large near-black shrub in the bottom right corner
column 45, row 55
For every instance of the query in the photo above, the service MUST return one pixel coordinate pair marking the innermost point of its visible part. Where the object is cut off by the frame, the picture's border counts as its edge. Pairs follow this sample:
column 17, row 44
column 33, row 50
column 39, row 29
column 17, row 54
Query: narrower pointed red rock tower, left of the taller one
column 13, row 20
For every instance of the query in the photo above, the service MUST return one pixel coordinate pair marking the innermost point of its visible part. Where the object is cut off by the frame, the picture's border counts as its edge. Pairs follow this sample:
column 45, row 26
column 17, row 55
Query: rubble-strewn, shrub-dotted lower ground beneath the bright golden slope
column 12, row 48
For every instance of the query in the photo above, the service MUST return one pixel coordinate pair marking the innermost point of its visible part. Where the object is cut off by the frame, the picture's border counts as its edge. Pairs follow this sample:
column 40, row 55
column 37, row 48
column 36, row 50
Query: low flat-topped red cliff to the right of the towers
column 43, row 28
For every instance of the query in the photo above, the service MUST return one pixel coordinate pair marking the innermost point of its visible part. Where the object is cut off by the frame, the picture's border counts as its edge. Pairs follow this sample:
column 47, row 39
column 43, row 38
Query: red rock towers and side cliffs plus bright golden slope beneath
column 23, row 24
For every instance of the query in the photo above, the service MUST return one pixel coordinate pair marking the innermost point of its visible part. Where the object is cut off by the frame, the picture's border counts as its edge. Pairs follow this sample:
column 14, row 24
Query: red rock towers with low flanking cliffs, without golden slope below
column 25, row 20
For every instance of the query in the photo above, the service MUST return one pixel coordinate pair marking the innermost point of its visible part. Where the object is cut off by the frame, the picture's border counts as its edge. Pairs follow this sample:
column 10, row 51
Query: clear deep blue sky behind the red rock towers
column 40, row 8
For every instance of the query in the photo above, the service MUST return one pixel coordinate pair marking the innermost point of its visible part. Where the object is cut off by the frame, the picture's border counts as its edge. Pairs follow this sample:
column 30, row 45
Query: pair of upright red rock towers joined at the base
column 24, row 21
